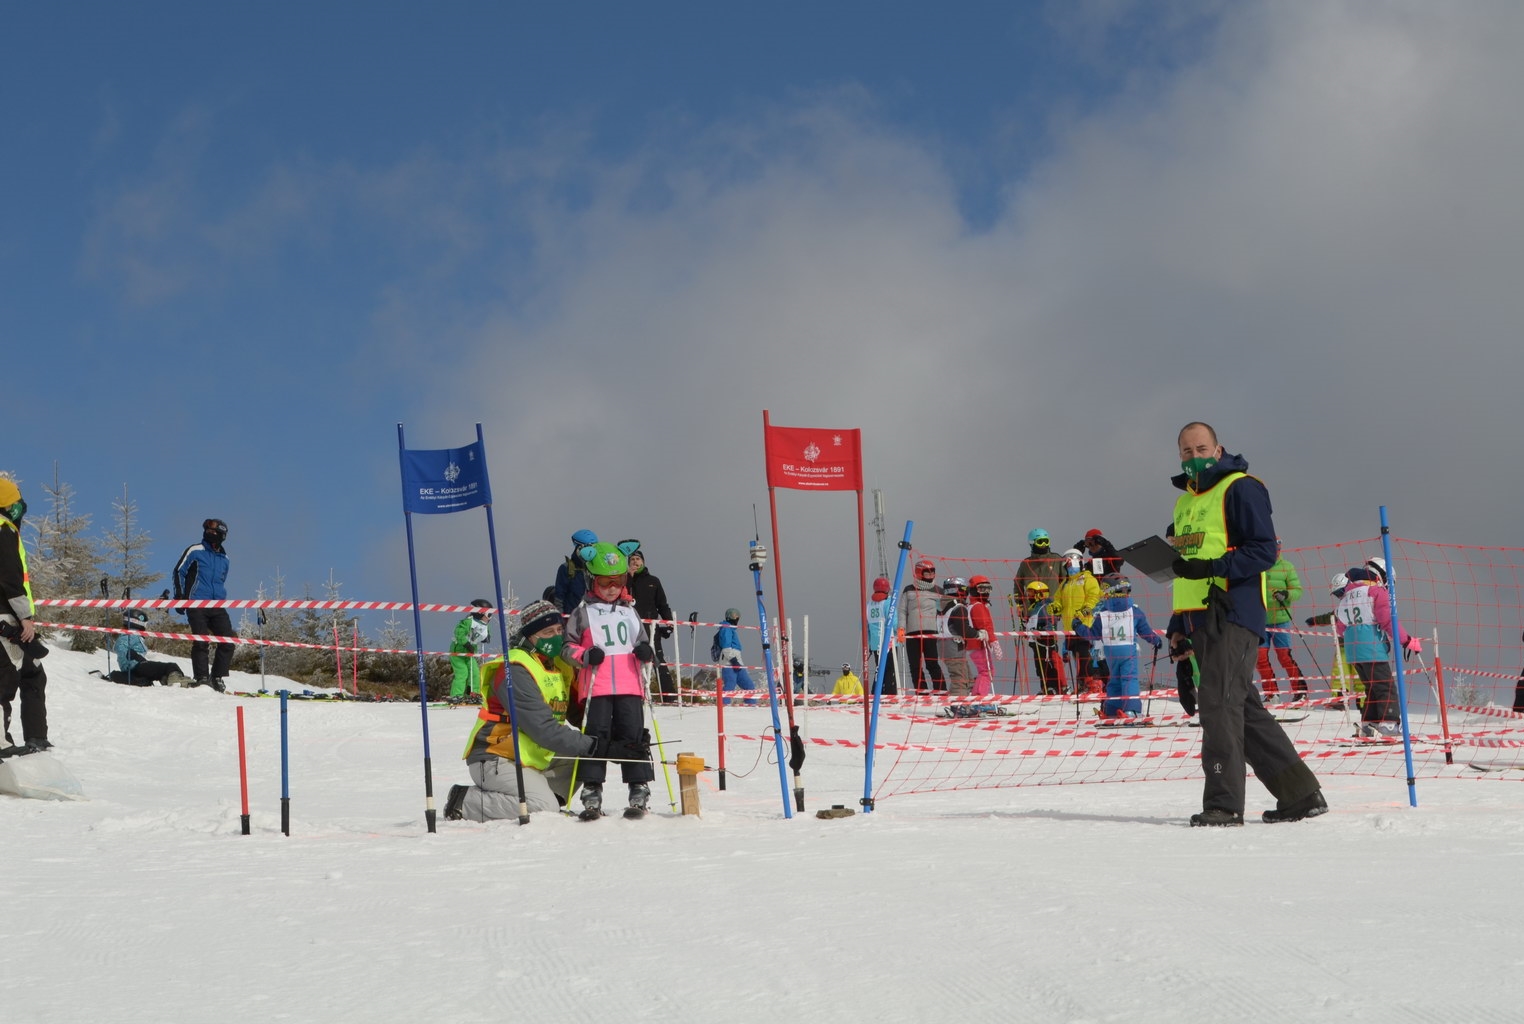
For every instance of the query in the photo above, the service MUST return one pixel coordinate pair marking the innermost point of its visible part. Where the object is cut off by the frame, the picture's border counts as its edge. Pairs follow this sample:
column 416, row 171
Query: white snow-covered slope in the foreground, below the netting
column 1065, row 904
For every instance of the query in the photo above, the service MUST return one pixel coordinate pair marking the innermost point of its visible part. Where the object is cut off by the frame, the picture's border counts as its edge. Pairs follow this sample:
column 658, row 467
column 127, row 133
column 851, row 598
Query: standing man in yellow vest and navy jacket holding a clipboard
column 1226, row 540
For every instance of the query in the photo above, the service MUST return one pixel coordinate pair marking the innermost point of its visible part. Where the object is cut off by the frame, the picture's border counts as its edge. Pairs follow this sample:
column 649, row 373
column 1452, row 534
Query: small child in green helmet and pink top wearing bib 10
column 607, row 644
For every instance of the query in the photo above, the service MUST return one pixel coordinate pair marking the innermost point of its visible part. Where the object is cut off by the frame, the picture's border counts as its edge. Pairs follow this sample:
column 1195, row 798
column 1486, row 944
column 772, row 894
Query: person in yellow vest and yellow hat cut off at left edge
column 22, row 671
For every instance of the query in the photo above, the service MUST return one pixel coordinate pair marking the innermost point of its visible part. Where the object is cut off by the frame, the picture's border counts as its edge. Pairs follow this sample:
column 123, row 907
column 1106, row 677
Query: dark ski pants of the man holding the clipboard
column 1235, row 726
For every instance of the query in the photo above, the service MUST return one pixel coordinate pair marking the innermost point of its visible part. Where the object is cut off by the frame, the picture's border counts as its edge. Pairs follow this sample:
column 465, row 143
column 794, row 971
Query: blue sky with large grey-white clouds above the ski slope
column 1017, row 245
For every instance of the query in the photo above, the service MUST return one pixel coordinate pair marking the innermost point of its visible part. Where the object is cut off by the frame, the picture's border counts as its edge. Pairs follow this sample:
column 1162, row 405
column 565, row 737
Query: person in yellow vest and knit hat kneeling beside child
column 542, row 683
